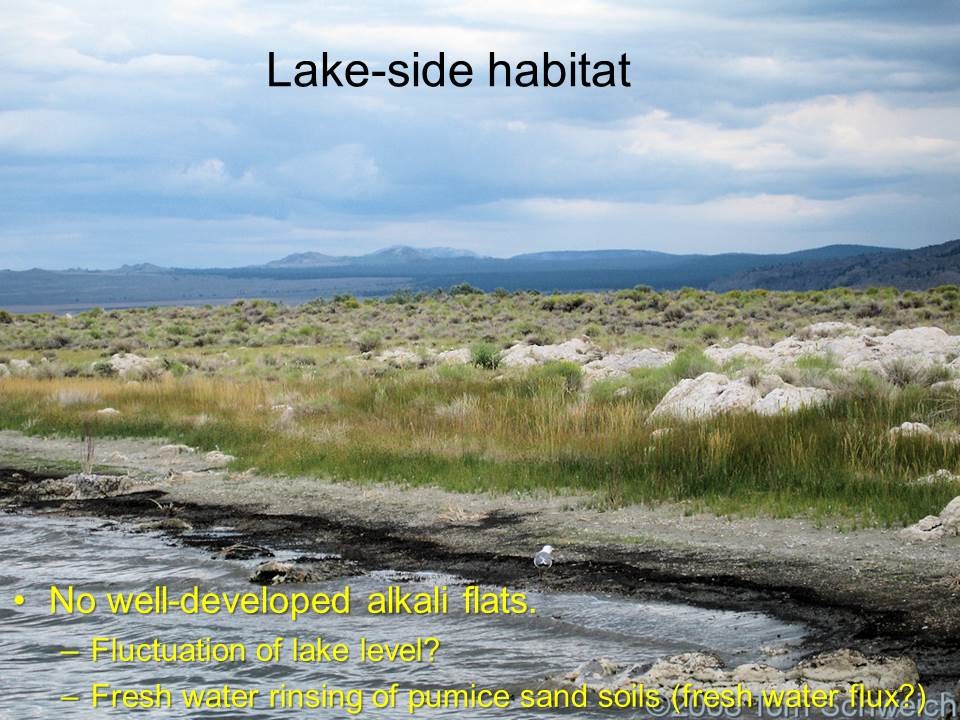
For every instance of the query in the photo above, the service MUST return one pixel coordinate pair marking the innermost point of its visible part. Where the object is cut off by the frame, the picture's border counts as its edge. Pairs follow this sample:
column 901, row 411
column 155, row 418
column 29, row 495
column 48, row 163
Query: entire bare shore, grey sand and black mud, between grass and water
column 867, row 590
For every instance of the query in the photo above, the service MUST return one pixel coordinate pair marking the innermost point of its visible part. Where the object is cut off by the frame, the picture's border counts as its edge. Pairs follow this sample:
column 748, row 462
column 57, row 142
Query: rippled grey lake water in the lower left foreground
column 492, row 651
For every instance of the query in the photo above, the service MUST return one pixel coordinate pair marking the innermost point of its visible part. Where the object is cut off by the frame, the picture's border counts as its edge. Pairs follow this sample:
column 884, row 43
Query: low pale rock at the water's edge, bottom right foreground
column 834, row 670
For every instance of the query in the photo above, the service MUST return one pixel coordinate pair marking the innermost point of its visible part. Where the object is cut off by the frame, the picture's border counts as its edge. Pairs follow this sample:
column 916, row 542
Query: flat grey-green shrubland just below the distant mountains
column 461, row 316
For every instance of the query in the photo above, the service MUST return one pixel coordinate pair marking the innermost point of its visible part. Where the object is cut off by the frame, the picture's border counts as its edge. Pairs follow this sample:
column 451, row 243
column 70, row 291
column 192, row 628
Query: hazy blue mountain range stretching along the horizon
column 303, row 276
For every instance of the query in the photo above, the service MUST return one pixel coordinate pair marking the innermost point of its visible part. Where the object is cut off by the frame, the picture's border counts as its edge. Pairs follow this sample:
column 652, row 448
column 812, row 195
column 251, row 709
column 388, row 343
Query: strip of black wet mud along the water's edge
column 892, row 613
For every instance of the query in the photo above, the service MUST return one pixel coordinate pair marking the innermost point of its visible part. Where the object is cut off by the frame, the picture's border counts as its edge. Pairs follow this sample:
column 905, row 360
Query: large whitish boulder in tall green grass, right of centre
column 713, row 394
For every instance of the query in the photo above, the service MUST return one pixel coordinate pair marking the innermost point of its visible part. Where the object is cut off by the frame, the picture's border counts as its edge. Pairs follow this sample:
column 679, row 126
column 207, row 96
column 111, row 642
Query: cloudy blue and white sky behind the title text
column 146, row 132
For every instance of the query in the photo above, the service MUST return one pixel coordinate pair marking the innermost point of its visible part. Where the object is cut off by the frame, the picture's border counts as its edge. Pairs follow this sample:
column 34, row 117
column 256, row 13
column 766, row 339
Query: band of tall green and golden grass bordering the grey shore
column 464, row 431
